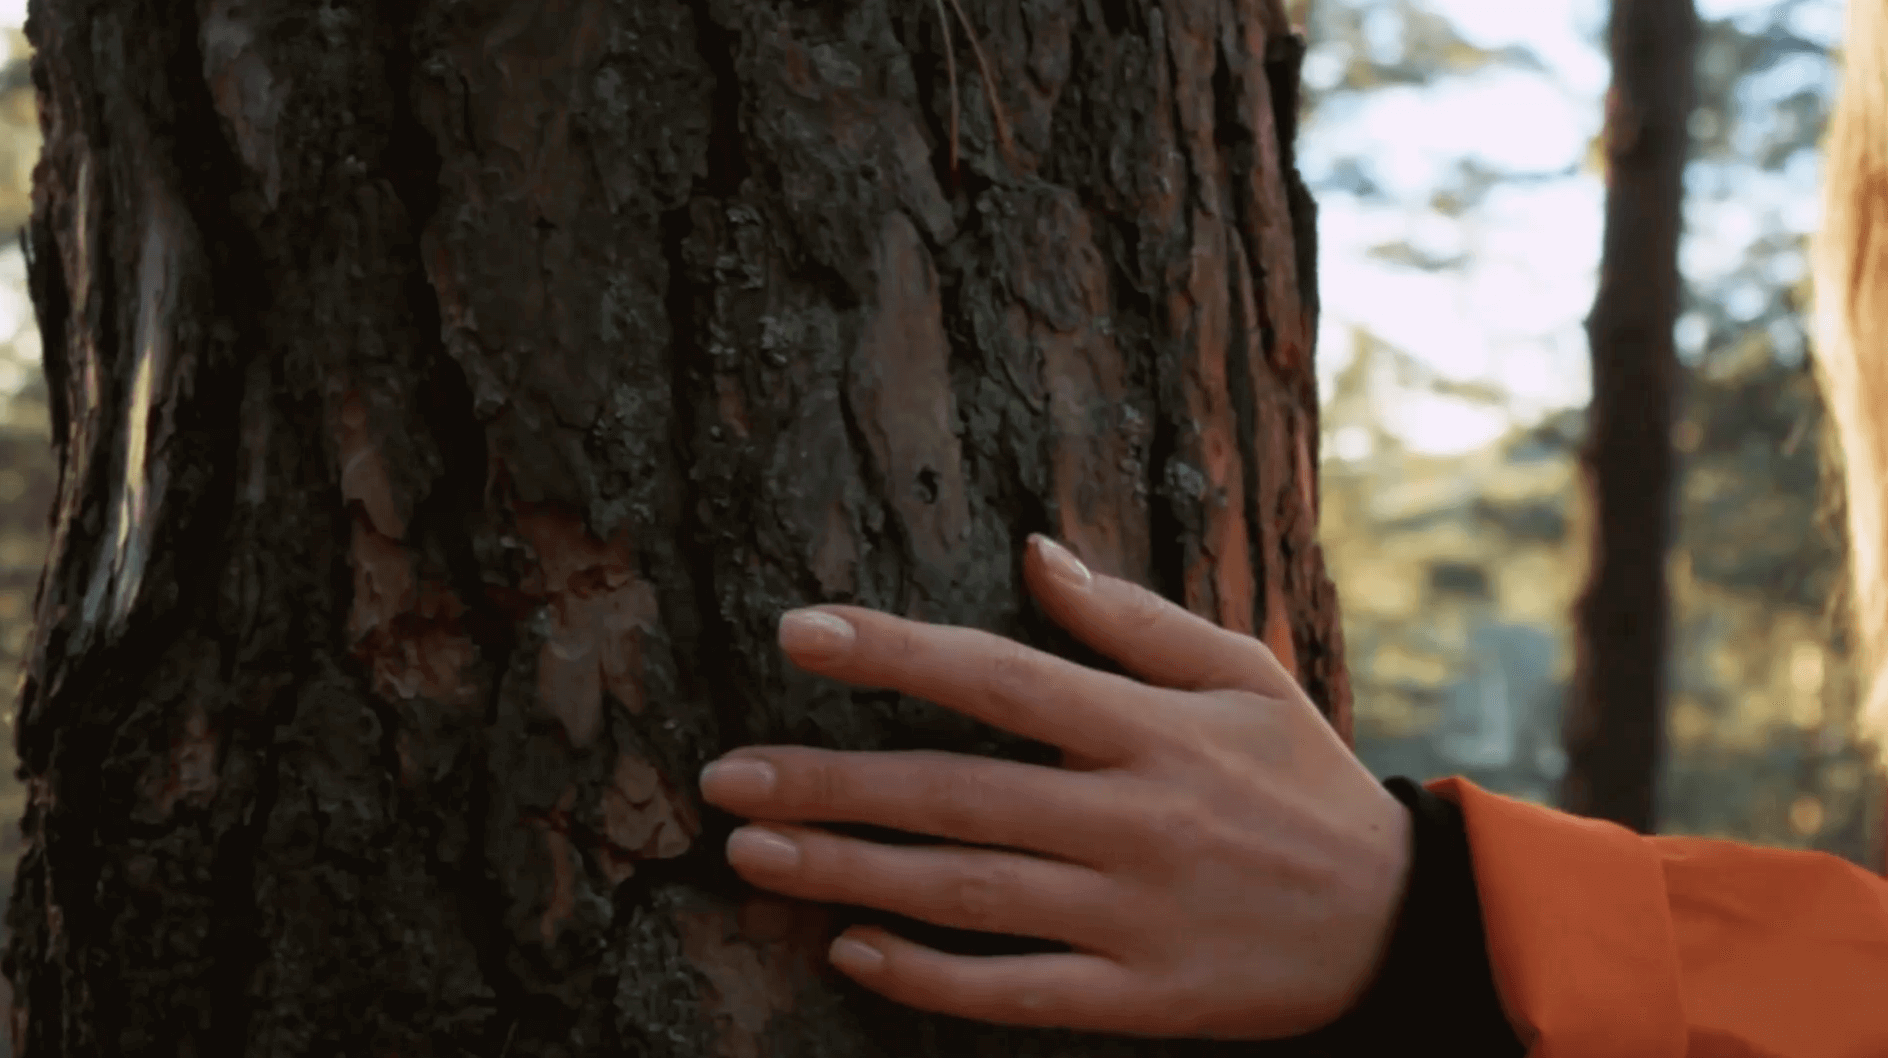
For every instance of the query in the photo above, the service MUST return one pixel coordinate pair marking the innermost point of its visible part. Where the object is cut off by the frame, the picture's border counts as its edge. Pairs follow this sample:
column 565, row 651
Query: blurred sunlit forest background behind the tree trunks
column 1455, row 154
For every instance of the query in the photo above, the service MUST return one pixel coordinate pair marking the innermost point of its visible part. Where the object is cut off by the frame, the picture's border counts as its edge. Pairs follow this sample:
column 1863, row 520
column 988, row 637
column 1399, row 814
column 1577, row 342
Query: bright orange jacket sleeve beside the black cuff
column 1608, row 944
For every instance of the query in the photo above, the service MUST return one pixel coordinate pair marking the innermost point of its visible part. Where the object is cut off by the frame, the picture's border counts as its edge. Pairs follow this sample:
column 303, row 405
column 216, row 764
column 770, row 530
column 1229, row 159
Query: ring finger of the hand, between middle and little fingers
column 964, row 889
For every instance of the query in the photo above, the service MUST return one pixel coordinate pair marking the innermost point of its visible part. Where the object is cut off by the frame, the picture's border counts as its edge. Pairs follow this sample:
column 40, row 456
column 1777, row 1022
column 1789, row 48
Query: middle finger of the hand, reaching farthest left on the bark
column 956, row 796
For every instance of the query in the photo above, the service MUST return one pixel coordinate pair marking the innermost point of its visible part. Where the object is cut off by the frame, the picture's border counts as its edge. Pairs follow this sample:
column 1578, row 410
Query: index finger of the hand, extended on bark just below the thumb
column 1096, row 715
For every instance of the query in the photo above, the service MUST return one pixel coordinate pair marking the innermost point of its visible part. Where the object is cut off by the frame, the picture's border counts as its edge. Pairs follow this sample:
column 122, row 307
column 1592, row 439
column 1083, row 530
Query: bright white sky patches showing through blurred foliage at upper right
column 1511, row 313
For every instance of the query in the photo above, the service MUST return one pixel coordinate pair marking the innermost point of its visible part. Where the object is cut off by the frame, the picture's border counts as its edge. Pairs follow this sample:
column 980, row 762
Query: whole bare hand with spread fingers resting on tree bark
column 1219, row 861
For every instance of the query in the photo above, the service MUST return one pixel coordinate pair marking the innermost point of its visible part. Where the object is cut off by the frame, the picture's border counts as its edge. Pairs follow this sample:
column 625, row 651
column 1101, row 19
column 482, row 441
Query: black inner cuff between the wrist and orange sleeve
column 1436, row 989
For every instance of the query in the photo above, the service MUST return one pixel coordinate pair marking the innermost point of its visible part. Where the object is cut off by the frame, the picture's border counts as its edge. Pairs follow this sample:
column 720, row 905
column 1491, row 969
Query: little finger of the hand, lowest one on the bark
column 1041, row 991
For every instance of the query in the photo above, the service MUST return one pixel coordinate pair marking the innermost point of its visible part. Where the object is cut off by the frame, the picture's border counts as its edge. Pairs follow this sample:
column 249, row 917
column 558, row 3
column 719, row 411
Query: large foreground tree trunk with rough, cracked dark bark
column 452, row 396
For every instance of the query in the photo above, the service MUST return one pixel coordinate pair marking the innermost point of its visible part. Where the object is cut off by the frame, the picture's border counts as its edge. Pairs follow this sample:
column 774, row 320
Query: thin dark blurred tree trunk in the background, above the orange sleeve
column 1617, row 715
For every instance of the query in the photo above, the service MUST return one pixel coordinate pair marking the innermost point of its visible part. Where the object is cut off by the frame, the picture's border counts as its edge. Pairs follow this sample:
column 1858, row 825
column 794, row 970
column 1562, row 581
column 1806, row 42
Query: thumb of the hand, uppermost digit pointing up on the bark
column 1153, row 638
